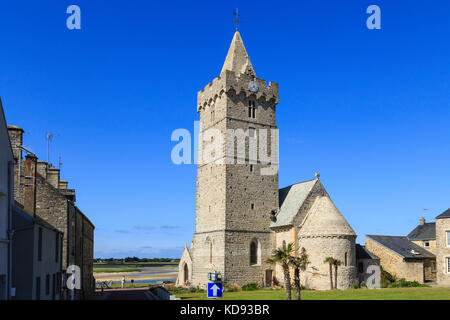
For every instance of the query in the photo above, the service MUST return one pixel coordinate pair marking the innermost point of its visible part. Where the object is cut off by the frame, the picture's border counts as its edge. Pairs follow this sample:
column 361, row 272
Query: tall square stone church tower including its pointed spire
column 237, row 193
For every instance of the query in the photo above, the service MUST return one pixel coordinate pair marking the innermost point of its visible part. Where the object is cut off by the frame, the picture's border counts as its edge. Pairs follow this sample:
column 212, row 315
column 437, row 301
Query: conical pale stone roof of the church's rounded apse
column 325, row 219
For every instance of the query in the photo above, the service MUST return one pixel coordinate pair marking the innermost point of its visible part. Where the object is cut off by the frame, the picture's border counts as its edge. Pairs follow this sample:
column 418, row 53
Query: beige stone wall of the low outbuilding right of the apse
column 395, row 264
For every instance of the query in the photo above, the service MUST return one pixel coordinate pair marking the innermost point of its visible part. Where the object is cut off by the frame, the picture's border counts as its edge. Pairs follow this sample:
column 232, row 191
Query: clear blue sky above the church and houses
column 368, row 109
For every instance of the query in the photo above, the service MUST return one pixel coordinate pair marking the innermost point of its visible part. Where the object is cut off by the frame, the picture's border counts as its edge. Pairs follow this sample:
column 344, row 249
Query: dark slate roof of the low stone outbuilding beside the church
column 402, row 246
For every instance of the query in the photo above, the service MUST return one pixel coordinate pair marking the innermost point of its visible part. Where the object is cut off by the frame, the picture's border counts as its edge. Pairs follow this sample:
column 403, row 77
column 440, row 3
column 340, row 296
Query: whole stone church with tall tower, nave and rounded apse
column 241, row 214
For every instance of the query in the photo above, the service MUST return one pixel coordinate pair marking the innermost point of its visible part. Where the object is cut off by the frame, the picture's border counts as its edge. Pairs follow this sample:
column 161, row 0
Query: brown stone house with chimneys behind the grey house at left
column 55, row 204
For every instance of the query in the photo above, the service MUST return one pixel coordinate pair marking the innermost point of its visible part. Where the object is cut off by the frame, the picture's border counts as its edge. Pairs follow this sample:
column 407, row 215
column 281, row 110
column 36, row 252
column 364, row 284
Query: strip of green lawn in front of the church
column 421, row 293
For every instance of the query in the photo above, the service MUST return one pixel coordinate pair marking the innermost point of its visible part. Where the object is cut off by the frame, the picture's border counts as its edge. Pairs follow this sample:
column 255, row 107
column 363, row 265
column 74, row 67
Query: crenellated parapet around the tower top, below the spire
column 230, row 82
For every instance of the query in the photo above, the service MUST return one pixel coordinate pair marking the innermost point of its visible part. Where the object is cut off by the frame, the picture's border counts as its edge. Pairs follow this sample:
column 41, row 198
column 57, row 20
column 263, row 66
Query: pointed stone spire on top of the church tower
column 237, row 58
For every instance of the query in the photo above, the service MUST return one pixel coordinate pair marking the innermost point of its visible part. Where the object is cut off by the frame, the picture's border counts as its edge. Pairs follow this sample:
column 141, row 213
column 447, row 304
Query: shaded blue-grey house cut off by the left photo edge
column 6, row 202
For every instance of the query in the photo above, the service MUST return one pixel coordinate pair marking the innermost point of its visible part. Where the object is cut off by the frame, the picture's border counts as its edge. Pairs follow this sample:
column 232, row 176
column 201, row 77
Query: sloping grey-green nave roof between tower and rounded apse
column 291, row 200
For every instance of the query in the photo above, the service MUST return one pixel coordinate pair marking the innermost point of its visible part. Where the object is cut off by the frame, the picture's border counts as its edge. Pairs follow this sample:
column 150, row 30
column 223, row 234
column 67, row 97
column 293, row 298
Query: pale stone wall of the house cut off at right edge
column 442, row 251
